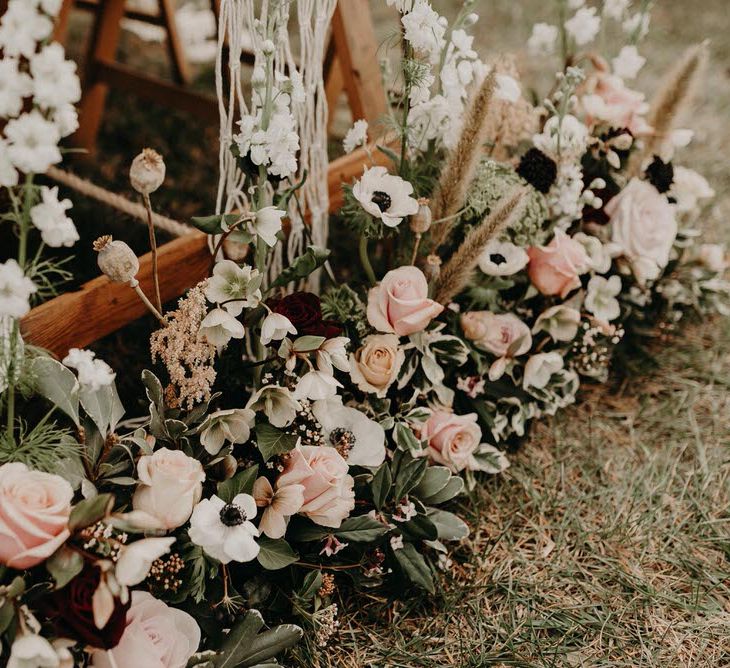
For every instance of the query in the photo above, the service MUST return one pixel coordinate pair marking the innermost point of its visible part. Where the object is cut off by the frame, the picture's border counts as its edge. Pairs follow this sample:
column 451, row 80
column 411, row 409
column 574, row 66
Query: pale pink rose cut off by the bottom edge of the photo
column 156, row 636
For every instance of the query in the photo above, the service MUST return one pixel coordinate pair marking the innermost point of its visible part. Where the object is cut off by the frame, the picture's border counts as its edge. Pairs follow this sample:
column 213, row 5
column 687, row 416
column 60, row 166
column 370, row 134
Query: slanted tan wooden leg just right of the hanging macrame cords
column 357, row 52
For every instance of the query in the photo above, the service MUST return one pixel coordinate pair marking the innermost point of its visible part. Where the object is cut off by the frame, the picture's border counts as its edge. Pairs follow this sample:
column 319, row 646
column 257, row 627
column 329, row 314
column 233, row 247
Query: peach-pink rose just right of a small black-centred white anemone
column 555, row 269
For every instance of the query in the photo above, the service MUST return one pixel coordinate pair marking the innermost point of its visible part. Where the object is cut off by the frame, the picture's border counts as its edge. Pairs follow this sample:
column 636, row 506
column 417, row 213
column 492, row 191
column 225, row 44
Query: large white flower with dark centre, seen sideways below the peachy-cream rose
column 360, row 439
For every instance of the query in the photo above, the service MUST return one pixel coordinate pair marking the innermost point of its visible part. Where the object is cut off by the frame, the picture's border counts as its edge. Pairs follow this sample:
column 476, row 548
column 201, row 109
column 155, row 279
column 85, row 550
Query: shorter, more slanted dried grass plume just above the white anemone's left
column 458, row 270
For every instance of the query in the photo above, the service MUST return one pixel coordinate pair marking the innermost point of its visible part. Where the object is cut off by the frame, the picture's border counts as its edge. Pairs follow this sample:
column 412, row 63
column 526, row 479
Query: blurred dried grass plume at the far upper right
column 675, row 95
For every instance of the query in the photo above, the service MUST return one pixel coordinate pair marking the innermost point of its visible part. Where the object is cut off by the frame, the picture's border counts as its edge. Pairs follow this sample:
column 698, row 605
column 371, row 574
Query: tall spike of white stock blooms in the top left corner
column 38, row 88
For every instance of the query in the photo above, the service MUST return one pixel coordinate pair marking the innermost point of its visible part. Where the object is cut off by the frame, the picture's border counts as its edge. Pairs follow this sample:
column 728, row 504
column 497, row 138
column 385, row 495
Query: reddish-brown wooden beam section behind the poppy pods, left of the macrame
column 76, row 319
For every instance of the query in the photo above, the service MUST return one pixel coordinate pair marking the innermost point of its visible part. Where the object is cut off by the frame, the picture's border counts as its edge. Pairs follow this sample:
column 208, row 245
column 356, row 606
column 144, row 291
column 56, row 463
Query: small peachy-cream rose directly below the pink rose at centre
column 375, row 366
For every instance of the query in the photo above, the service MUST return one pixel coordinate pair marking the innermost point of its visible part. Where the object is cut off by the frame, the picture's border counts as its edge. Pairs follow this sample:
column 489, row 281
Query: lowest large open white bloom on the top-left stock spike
column 32, row 142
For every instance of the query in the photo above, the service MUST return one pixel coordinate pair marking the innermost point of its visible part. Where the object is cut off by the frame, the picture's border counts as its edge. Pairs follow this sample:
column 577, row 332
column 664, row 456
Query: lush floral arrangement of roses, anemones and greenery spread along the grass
column 299, row 442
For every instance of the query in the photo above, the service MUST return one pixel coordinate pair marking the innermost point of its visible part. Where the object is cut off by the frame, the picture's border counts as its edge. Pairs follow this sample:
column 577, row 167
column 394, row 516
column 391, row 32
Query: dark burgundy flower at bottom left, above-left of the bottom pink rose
column 71, row 611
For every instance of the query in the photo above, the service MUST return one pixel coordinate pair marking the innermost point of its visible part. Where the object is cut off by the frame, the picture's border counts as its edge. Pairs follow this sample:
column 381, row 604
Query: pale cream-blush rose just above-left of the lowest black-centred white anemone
column 171, row 483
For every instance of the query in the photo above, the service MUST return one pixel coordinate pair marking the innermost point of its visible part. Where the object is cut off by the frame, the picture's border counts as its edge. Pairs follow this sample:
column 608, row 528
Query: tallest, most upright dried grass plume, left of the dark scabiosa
column 463, row 161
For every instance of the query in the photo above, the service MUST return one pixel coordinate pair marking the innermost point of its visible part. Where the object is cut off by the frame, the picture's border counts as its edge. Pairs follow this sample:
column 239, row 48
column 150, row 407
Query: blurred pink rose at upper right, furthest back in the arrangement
column 611, row 102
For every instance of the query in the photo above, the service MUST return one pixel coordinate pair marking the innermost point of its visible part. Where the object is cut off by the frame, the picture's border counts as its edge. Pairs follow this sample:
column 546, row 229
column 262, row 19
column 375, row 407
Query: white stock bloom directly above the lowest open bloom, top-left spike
column 55, row 82
